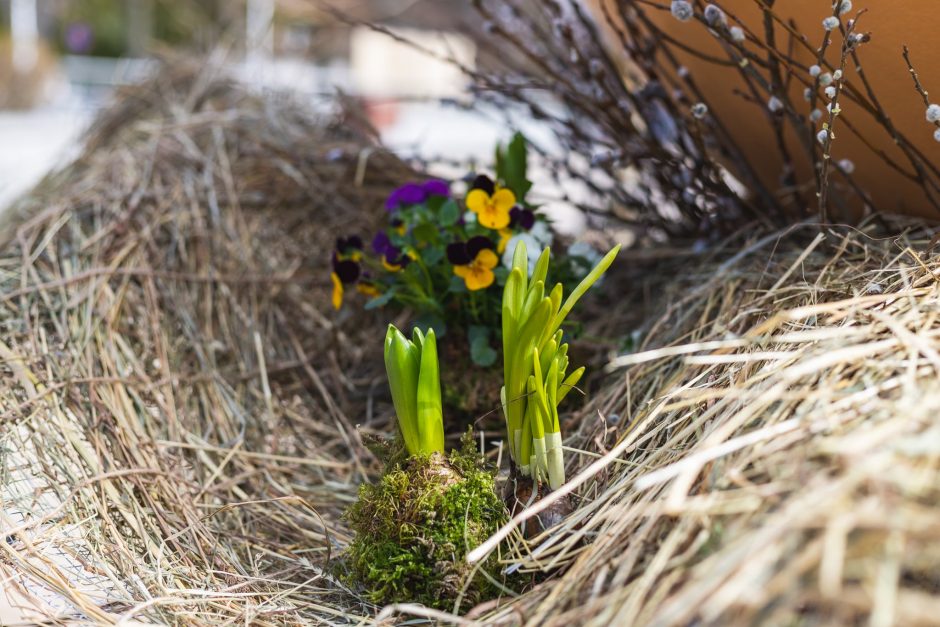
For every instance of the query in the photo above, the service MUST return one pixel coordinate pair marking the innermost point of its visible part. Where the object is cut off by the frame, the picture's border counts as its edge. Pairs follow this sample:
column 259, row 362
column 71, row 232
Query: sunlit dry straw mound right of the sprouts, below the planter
column 777, row 462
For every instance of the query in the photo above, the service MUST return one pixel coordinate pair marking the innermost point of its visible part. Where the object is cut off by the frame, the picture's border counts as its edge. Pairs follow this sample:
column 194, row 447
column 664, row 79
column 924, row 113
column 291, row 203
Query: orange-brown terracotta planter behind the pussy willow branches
column 891, row 25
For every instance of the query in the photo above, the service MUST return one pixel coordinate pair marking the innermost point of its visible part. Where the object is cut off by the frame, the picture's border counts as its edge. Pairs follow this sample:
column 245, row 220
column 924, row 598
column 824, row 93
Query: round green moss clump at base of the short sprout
column 415, row 526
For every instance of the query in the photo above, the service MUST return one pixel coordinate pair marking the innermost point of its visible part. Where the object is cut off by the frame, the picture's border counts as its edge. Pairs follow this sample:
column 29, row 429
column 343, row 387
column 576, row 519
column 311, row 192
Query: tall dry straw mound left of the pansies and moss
column 178, row 411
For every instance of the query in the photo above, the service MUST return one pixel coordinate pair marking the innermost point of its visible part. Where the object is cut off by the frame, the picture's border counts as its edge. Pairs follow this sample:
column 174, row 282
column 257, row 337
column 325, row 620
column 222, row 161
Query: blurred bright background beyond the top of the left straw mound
column 60, row 61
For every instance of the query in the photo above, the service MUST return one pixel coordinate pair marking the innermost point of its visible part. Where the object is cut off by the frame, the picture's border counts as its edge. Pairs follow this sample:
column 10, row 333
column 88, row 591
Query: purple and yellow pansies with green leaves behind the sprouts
column 446, row 258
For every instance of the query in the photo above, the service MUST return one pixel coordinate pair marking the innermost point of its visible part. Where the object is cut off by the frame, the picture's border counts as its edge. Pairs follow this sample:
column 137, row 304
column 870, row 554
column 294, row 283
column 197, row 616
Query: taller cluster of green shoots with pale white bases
column 535, row 364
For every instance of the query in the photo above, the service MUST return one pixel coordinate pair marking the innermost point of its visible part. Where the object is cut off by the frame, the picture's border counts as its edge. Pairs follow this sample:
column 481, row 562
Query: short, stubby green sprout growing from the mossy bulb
column 414, row 380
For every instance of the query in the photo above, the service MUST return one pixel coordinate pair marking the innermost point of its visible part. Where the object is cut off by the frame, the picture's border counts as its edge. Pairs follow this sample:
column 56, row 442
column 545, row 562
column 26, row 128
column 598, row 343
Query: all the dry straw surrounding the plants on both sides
column 179, row 405
